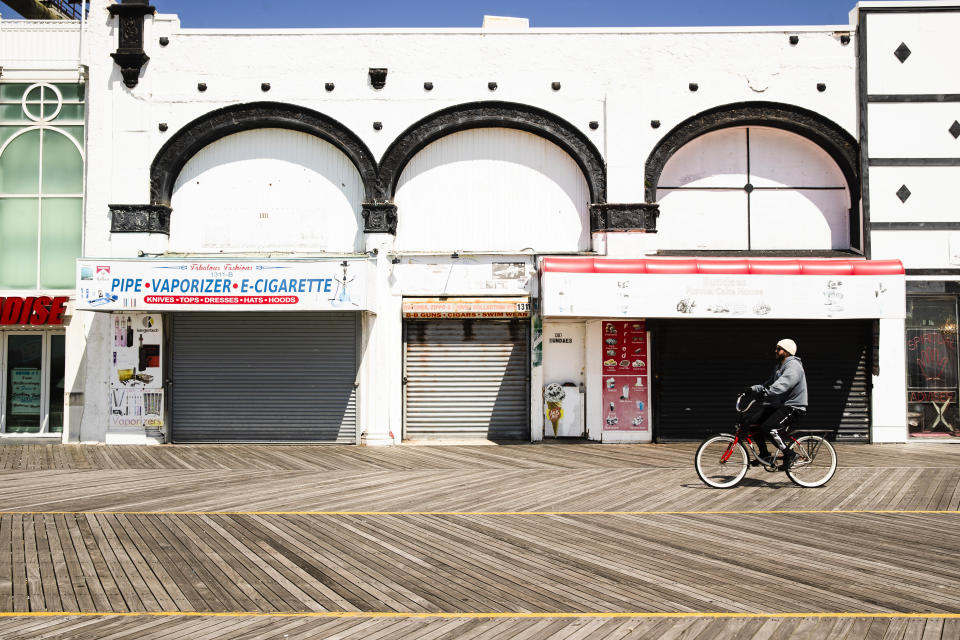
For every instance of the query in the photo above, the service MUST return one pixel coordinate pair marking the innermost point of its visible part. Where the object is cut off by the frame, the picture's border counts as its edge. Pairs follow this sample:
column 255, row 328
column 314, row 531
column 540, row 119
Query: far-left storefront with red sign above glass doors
column 32, row 359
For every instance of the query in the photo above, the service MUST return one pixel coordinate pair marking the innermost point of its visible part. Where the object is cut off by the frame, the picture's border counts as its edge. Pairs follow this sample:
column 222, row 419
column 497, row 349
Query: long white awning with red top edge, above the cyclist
column 722, row 288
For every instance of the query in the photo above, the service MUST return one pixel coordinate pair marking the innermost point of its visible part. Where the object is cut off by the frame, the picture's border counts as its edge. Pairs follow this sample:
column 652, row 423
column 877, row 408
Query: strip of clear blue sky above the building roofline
column 469, row 13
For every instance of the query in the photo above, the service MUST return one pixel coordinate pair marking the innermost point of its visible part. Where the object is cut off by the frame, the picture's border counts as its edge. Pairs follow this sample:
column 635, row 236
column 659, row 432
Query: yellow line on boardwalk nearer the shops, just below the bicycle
column 488, row 513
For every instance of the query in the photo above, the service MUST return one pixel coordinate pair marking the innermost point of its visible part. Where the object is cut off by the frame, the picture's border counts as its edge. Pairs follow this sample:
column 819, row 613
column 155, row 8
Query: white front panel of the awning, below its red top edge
column 612, row 295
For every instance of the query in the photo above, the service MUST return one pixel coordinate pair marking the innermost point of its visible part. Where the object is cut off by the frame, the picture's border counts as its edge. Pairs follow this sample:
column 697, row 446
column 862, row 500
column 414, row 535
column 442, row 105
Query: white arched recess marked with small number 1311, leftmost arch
column 267, row 190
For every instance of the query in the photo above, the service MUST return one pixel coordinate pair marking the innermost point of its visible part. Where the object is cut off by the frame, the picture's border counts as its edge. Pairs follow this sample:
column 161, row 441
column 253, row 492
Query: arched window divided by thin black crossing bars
column 753, row 188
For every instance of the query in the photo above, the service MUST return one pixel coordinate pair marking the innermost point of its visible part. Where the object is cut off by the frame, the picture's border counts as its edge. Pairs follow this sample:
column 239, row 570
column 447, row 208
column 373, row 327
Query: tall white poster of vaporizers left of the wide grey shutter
column 136, row 377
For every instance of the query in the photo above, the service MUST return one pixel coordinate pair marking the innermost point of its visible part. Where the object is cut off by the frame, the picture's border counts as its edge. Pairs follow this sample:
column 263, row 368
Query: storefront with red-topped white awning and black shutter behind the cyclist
column 670, row 342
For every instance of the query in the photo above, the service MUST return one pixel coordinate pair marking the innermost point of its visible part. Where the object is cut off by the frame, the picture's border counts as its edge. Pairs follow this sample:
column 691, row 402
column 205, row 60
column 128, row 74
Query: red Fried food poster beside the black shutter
column 625, row 387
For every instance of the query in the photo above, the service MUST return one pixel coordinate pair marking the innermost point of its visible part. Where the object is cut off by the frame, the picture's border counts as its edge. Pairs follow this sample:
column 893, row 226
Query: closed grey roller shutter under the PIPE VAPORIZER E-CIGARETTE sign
column 264, row 377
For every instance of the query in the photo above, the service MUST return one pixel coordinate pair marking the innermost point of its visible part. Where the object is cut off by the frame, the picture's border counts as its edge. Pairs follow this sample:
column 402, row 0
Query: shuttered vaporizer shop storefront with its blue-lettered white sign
column 232, row 351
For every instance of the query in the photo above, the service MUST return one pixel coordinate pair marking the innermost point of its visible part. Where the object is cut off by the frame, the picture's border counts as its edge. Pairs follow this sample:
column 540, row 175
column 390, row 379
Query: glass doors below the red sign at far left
column 32, row 375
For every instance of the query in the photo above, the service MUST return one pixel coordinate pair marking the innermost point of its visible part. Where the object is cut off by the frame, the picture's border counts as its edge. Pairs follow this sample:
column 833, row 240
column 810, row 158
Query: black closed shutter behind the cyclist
column 701, row 366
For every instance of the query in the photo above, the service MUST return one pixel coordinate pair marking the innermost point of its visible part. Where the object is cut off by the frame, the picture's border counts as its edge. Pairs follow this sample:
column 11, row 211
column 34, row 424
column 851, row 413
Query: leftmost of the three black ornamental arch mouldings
column 212, row 126
